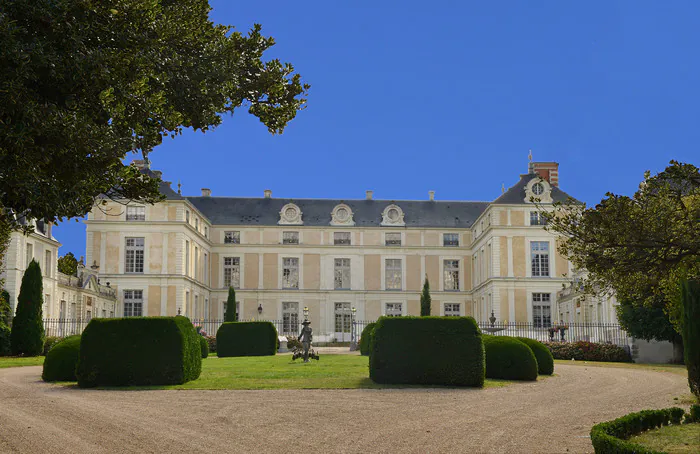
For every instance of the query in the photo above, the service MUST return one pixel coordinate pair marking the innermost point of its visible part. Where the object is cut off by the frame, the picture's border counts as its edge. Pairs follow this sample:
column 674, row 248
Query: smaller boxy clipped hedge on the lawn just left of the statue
column 246, row 339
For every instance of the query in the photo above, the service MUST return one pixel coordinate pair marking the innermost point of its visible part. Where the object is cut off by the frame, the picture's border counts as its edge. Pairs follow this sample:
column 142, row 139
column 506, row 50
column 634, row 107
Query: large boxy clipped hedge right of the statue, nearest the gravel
column 427, row 351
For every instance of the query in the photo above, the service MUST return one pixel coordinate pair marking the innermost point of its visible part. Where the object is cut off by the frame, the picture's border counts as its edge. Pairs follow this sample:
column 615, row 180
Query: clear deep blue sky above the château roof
column 449, row 96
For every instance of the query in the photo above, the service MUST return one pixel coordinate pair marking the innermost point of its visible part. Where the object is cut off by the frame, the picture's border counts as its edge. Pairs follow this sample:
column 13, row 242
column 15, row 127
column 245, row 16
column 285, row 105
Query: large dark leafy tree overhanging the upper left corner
column 85, row 82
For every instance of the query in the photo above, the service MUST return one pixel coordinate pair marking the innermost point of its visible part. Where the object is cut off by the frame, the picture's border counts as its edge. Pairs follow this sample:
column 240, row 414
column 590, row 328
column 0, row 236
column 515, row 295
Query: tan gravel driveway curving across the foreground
column 550, row 416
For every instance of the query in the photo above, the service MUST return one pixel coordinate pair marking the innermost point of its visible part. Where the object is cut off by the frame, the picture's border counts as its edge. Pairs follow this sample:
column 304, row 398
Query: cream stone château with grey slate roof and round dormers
column 284, row 254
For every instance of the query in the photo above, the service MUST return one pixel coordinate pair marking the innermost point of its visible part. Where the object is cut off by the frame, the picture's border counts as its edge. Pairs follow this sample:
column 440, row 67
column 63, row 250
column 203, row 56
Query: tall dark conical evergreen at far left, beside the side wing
column 27, row 326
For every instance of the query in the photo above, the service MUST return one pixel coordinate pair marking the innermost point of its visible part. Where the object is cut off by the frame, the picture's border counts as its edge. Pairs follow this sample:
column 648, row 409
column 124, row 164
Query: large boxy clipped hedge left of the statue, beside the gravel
column 139, row 351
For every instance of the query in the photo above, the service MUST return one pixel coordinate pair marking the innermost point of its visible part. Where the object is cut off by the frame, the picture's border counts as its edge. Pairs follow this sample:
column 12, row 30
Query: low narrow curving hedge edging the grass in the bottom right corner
column 611, row 437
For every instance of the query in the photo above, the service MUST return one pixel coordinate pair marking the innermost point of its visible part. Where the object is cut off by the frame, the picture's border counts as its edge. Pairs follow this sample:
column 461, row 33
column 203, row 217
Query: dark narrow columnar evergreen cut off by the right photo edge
column 690, row 297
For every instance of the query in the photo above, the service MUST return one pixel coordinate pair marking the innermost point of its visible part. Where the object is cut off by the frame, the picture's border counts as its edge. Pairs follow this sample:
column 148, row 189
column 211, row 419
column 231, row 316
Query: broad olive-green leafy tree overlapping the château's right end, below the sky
column 639, row 247
